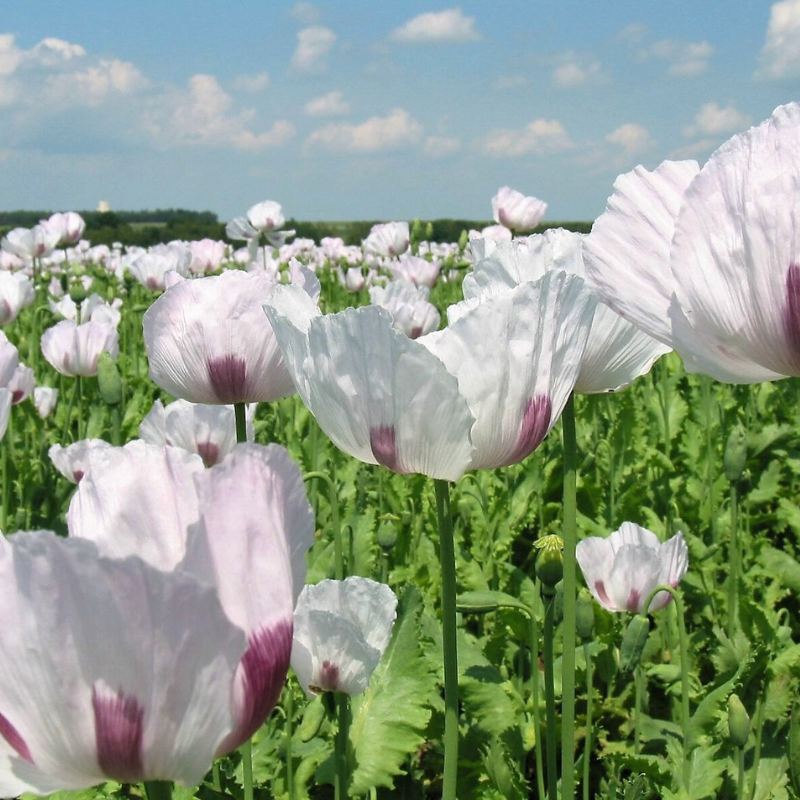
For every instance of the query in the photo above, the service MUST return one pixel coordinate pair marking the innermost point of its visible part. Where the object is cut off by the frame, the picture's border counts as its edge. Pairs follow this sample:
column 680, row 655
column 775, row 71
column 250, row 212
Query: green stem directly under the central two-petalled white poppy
column 447, row 555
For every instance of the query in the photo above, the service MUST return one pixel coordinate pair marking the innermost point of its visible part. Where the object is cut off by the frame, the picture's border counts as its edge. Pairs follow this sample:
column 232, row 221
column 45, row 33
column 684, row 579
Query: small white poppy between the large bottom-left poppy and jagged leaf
column 341, row 631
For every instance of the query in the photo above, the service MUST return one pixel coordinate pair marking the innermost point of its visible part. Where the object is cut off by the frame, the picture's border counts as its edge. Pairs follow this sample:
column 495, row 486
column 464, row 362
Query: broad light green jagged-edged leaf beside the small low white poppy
column 389, row 719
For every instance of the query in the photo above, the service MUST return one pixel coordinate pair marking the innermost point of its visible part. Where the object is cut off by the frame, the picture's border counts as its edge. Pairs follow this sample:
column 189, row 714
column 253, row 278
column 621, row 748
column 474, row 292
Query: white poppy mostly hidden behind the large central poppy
column 616, row 352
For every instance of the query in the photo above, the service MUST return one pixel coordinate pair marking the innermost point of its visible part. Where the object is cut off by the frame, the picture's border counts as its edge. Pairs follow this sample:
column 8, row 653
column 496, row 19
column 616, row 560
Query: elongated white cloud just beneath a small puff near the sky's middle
column 396, row 131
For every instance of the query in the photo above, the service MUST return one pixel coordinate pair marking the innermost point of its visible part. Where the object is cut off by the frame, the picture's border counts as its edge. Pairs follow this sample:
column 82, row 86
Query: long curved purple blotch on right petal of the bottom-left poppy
column 263, row 672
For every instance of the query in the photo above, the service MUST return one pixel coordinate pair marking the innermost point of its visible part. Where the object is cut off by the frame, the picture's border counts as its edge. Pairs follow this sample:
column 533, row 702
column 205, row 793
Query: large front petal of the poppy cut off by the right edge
column 737, row 238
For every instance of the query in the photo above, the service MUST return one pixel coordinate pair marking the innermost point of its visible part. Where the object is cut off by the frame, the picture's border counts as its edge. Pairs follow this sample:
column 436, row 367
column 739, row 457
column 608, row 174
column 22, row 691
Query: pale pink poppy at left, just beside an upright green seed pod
column 74, row 349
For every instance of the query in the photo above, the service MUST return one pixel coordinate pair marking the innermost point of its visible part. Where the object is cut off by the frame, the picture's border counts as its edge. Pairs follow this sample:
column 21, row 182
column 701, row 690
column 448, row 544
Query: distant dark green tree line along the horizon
column 146, row 228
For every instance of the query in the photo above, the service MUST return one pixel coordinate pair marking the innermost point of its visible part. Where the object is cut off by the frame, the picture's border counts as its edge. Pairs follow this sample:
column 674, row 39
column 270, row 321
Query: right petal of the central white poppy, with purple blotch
column 517, row 356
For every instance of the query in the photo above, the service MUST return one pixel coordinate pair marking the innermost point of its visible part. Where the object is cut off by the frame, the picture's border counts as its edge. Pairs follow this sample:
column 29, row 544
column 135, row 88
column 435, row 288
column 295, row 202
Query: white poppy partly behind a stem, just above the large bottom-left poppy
column 209, row 431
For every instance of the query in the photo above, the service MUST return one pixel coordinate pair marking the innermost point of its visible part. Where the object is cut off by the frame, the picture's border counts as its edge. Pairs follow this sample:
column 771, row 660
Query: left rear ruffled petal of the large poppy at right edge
column 627, row 253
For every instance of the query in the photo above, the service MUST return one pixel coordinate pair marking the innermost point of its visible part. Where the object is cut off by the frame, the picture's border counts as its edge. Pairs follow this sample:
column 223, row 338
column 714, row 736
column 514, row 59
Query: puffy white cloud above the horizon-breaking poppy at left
column 204, row 114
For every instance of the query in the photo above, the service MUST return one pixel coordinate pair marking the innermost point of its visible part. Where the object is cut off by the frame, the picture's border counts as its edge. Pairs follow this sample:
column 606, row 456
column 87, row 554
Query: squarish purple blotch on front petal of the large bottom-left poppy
column 119, row 725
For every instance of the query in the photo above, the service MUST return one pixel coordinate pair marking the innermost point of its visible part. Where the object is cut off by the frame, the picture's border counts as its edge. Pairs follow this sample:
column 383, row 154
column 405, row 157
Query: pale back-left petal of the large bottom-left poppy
column 137, row 500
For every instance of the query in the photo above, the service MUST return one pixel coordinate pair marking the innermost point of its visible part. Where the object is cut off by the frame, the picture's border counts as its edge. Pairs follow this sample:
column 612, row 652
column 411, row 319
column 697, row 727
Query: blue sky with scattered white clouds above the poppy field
column 360, row 110
